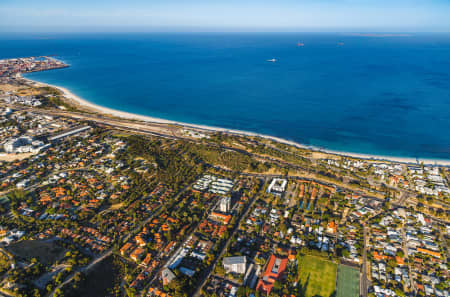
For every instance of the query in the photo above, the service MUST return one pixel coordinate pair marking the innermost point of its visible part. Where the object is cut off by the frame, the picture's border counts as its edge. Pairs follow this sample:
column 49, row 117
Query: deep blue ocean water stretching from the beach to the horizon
column 376, row 95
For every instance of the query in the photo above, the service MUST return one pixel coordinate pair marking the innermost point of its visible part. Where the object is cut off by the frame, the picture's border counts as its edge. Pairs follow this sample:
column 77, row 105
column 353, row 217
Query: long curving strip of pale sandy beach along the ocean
column 92, row 107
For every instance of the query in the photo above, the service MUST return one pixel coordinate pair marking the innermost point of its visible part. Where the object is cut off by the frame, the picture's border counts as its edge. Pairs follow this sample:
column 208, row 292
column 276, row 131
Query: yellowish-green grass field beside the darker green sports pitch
column 317, row 277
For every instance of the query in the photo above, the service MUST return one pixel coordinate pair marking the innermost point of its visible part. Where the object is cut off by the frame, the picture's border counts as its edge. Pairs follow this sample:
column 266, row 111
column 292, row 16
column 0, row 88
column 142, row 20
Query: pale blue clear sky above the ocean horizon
column 225, row 15
